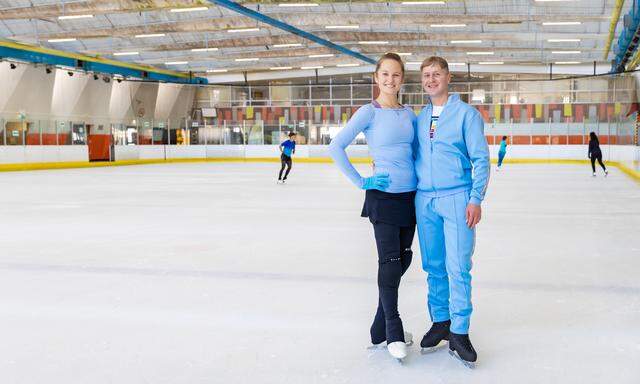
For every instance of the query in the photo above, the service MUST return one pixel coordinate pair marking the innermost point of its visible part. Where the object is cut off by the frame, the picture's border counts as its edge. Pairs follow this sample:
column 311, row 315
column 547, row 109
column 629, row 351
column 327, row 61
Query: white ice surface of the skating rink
column 212, row 273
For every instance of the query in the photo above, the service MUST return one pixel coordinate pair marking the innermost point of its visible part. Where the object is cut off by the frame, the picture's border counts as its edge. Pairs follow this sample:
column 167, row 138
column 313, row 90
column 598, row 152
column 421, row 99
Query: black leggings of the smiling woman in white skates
column 394, row 257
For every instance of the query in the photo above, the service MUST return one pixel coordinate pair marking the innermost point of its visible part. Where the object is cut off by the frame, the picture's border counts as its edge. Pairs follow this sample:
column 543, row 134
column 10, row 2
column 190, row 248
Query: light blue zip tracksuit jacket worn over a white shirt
column 444, row 164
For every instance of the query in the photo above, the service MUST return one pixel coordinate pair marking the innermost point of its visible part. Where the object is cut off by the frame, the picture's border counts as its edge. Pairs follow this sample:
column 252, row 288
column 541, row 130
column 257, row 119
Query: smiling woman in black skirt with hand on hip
column 389, row 129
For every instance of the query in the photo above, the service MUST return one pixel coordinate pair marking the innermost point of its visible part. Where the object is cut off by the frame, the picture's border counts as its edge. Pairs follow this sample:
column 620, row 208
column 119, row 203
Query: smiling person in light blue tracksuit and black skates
column 452, row 166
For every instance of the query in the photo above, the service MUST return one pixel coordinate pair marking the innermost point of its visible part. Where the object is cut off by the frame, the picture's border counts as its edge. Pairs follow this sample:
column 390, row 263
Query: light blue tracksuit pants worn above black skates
column 446, row 245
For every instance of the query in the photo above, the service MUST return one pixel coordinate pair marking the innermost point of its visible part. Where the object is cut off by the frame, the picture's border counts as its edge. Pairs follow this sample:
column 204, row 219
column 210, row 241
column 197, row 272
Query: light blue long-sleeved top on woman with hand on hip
column 390, row 136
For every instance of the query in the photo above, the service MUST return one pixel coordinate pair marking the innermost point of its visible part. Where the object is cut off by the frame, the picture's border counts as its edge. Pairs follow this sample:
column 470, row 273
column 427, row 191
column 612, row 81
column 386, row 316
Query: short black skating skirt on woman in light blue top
column 390, row 208
